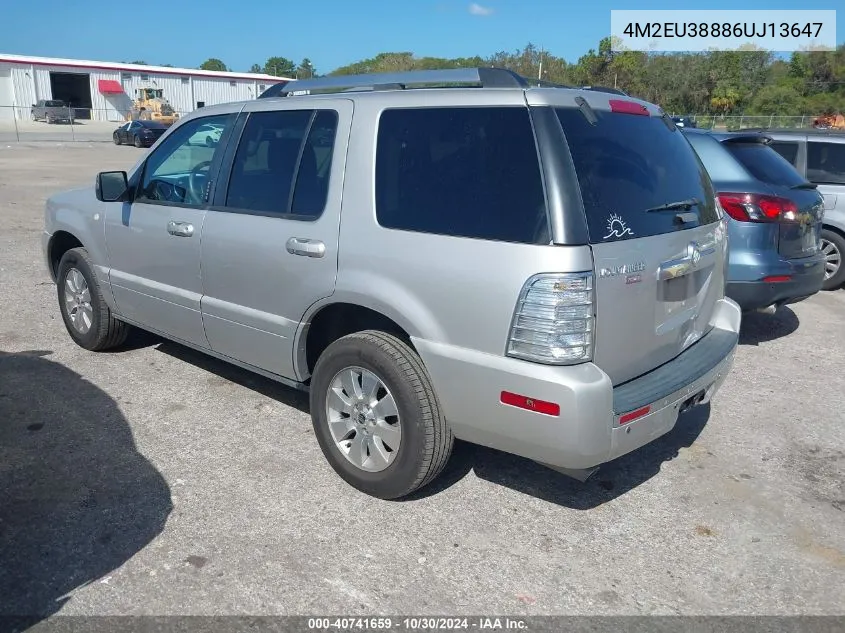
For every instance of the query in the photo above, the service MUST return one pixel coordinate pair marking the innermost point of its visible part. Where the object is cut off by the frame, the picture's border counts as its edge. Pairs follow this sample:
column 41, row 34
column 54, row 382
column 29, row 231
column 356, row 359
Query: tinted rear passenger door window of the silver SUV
column 283, row 163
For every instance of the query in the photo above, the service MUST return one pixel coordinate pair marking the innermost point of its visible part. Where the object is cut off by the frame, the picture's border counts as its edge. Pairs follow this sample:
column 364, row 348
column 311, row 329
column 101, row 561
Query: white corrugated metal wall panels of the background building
column 30, row 84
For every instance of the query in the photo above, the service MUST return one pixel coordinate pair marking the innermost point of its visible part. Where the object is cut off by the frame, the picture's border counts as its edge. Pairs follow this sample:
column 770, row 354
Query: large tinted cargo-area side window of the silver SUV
column 468, row 172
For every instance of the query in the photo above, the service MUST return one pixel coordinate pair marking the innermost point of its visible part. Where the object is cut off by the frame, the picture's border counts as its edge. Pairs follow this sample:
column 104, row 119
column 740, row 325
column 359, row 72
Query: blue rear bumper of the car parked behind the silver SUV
column 806, row 277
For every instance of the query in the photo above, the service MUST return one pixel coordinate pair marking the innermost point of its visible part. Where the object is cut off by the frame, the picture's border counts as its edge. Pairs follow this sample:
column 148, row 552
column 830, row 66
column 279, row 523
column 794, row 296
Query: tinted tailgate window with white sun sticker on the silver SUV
column 627, row 164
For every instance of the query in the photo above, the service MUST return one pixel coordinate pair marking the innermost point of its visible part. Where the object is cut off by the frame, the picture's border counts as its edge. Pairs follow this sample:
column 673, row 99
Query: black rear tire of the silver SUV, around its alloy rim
column 425, row 440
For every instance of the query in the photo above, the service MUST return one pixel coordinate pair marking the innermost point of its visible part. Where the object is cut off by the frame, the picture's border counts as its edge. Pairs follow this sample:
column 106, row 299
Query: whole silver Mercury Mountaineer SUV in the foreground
column 537, row 269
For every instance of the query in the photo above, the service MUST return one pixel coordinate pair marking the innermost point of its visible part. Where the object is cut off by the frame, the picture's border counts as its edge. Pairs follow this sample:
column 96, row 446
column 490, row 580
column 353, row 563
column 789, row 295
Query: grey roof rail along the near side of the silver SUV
column 487, row 77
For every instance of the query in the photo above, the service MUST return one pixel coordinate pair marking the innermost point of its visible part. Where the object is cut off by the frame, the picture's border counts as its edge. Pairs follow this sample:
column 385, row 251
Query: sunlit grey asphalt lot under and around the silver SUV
column 153, row 480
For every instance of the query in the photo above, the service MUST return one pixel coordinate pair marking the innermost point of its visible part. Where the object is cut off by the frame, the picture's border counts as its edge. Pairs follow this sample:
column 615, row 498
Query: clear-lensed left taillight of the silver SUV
column 554, row 320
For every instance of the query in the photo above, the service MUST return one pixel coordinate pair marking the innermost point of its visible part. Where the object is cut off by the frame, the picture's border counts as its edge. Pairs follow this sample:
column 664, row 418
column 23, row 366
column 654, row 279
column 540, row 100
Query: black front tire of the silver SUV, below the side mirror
column 104, row 332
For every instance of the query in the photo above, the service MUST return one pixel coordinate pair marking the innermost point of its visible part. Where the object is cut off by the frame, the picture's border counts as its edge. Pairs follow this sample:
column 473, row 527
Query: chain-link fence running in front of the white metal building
column 27, row 124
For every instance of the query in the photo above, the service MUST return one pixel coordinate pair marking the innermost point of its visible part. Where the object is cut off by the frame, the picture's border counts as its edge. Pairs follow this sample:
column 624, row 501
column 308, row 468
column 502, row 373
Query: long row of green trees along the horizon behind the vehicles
column 748, row 81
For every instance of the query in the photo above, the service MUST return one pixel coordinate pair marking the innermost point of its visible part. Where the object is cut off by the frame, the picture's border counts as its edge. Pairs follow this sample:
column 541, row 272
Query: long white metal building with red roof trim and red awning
column 104, row 91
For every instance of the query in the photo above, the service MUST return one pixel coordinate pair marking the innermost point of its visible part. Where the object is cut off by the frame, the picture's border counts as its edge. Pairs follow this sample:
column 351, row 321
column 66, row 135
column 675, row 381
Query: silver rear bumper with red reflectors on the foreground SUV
column 588, row 432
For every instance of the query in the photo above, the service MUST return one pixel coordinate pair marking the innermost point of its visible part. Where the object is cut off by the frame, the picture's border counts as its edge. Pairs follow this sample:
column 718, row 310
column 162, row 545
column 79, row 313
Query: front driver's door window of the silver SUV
column 177, row 172
